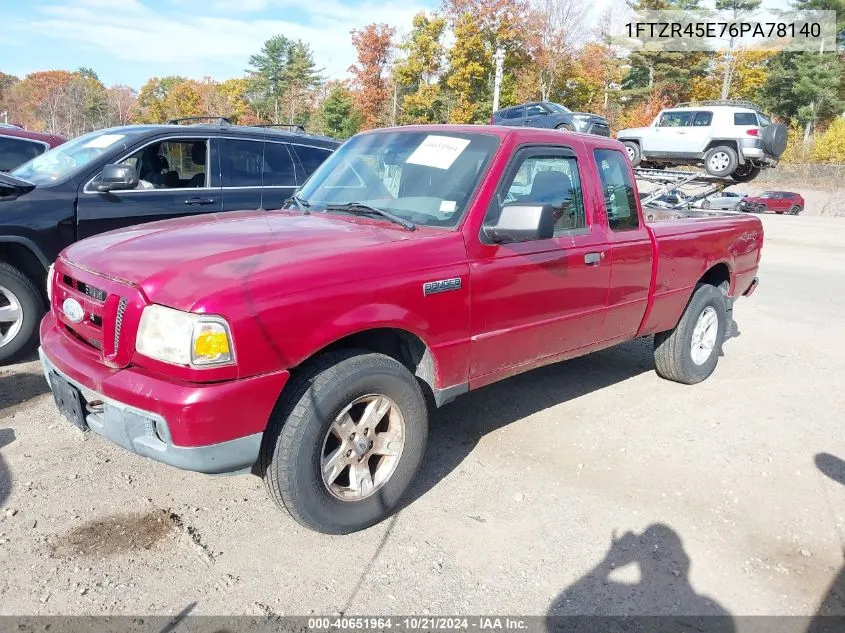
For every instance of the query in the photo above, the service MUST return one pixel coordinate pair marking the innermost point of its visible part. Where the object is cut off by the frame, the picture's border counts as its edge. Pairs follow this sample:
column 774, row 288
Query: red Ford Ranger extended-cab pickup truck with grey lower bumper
column 308, row 343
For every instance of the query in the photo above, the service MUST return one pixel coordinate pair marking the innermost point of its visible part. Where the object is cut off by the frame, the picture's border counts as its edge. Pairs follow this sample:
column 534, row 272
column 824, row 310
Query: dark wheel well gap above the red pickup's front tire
column 401, row 345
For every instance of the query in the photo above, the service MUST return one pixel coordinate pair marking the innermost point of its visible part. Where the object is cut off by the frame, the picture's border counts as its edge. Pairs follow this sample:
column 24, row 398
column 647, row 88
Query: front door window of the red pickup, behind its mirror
column 554, row 180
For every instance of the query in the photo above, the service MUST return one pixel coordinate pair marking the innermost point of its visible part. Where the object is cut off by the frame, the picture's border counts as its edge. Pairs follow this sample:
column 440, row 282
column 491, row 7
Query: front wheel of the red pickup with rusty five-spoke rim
column 345, row 441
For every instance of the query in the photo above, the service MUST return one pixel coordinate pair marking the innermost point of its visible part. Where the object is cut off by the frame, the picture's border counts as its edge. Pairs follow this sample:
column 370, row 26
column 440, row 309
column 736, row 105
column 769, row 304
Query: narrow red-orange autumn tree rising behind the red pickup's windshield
column 373, row 44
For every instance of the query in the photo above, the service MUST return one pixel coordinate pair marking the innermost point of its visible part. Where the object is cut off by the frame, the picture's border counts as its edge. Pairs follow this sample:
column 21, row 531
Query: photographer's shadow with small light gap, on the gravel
column 663, row 590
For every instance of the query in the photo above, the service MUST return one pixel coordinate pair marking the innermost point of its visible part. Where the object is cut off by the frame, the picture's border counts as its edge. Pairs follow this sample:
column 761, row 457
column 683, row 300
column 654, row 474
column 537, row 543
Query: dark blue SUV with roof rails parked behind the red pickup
column 127, row 175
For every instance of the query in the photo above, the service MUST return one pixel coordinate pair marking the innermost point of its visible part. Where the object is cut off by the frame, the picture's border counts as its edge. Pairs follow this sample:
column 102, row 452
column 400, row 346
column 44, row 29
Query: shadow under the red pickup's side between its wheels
column 456, row 429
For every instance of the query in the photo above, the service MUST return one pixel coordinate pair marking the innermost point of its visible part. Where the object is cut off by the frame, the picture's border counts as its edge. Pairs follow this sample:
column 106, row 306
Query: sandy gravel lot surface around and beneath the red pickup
column 713, row 491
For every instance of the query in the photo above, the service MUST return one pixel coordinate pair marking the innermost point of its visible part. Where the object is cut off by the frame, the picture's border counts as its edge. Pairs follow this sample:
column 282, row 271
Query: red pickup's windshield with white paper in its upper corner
column 423, row 177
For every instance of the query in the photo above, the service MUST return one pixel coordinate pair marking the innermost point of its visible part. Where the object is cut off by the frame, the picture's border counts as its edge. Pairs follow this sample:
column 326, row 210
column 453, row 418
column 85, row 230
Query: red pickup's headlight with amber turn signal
column 183, row 338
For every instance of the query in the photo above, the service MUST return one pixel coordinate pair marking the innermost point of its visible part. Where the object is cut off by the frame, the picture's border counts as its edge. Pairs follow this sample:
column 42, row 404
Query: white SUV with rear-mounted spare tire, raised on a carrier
column 730, row 138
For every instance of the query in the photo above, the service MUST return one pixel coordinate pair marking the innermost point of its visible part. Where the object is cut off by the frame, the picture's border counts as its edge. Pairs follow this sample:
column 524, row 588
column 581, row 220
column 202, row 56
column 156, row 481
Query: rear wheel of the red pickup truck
column 689, row 353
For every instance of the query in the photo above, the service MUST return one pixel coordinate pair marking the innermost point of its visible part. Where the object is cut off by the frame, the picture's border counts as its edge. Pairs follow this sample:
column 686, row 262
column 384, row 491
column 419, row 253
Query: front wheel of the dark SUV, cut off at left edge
column 21, row 308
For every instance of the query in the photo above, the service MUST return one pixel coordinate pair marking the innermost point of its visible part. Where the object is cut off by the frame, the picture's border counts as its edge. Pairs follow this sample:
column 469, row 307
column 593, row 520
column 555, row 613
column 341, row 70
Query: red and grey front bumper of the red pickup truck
column 210, row 428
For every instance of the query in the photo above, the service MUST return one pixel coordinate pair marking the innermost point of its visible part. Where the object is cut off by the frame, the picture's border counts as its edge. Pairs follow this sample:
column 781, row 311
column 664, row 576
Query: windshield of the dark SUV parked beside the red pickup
column 60, row 162
